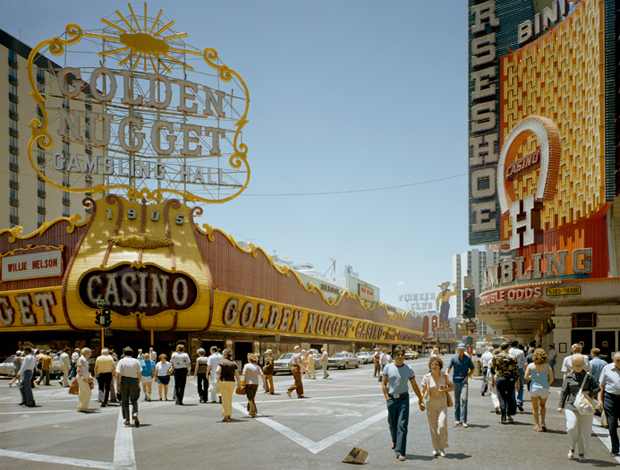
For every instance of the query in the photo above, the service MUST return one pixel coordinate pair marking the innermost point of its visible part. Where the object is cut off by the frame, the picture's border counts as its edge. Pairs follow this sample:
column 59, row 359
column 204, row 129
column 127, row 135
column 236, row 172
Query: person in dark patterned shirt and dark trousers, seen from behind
column 506, row 368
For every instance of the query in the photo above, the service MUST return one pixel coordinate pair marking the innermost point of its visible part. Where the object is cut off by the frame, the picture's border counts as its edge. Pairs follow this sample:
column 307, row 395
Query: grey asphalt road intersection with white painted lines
column 344, row 411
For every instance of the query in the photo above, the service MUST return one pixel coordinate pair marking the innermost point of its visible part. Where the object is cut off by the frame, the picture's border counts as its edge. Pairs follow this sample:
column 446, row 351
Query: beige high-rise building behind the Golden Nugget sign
column 32, row 201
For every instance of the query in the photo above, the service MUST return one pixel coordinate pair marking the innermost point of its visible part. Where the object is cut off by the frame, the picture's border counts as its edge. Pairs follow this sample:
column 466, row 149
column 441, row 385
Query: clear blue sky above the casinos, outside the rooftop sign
column 345, row 96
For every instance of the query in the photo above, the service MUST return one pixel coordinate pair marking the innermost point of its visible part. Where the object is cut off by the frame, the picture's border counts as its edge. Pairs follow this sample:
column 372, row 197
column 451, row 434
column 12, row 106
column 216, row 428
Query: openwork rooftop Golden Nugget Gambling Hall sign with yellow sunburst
column 147, row 117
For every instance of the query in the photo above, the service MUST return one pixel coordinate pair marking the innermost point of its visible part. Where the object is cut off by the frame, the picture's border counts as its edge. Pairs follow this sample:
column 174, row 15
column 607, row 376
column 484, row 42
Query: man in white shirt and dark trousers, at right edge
column 609, row 399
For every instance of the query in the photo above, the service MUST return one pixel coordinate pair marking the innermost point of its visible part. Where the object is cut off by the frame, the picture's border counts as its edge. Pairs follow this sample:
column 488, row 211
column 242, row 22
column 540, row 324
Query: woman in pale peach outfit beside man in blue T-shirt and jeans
column 435, row 387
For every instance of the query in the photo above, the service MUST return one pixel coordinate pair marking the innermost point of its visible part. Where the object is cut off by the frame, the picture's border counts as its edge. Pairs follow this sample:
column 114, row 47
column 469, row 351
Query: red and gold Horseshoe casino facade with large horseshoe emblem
column 544, row 168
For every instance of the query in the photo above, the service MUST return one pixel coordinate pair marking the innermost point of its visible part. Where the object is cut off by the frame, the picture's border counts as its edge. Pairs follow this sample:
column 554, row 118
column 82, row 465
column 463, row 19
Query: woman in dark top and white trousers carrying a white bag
column 578, row 427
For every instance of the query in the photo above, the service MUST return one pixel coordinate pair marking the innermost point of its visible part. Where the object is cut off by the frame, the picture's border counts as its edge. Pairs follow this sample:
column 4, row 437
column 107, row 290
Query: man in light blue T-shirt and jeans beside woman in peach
column 395, row 384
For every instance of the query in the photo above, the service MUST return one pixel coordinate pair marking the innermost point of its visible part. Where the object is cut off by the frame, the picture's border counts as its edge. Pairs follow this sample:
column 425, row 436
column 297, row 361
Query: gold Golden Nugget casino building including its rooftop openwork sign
column 163, row 146
